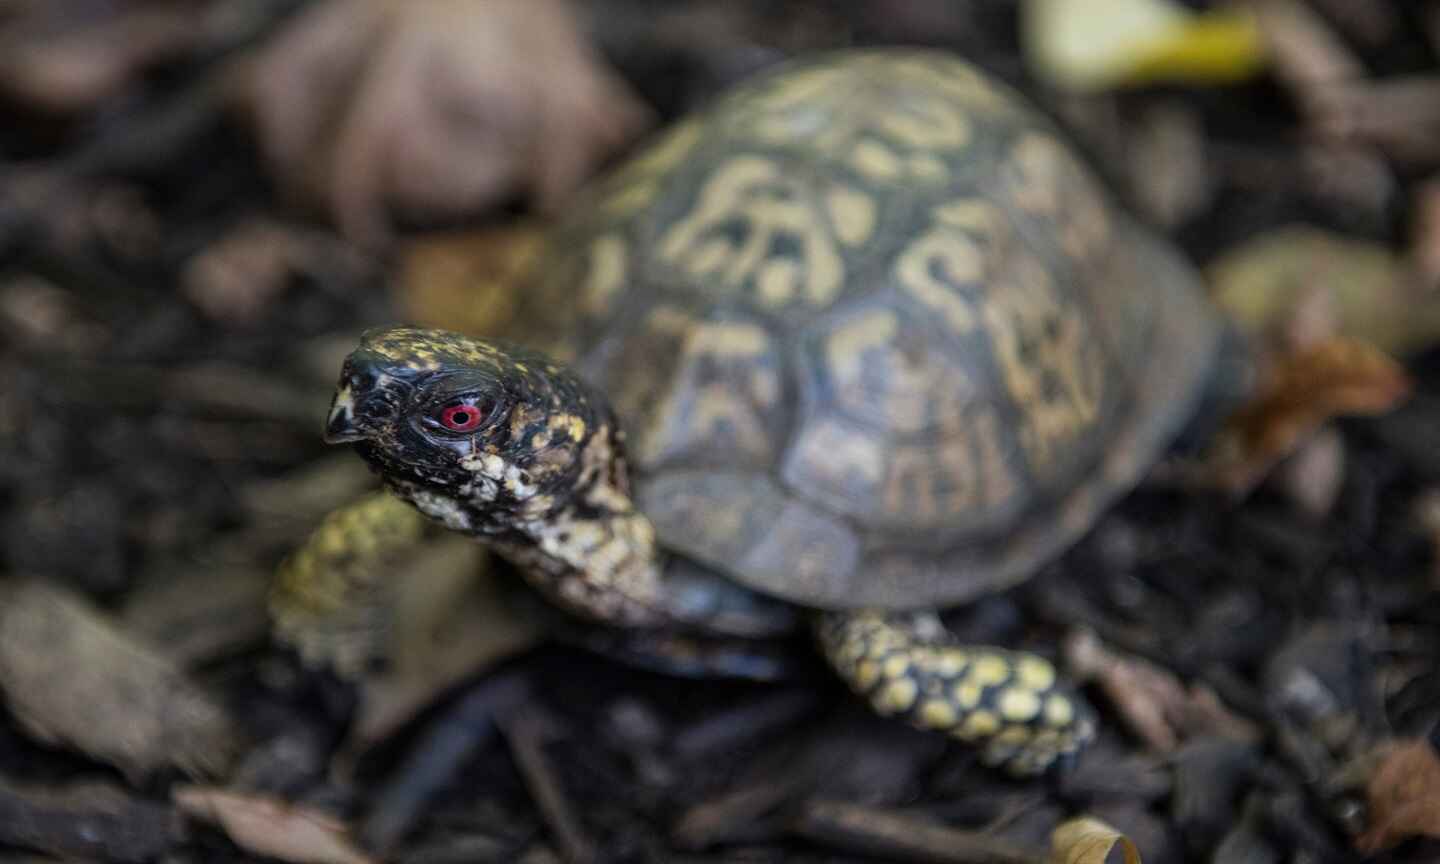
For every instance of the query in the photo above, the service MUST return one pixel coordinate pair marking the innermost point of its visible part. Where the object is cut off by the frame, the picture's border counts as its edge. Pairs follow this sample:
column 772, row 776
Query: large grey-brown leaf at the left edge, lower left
column 74, row 679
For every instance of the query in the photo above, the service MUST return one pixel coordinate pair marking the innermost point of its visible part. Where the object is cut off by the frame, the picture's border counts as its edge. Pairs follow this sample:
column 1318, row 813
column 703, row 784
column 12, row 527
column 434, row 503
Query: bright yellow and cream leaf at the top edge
column 1089, row 45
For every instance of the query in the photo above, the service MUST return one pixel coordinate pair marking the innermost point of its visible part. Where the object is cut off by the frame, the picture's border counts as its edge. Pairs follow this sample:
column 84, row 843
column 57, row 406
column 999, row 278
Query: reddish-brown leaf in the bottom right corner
column 1403, row 797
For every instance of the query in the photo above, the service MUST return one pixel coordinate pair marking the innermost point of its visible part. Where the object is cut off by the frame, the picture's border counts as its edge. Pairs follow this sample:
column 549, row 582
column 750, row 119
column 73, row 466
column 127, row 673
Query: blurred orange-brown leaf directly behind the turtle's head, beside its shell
column 469, row 282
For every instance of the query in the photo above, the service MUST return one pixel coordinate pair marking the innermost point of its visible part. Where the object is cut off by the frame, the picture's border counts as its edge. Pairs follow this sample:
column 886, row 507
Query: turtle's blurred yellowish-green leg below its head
column 329, row 597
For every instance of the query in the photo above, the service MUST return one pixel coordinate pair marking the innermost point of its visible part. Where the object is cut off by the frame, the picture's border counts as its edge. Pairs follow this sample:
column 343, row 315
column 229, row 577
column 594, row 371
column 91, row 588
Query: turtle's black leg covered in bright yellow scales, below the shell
column 1009, row 703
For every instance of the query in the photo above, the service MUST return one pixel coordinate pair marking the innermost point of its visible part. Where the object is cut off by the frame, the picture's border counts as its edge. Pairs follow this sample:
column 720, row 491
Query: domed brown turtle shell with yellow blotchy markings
column 878, row 336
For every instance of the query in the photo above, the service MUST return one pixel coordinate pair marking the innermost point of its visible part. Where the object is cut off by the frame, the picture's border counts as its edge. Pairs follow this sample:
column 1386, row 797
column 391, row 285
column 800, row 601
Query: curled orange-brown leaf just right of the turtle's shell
column 1304, row 391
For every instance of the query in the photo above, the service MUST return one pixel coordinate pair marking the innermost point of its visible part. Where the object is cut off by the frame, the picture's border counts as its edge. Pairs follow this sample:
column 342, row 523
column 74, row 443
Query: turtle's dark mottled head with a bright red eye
column 467, row 424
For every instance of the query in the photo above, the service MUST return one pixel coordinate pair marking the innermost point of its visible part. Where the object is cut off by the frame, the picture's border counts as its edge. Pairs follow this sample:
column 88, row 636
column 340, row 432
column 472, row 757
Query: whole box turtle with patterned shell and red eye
column 862, row 342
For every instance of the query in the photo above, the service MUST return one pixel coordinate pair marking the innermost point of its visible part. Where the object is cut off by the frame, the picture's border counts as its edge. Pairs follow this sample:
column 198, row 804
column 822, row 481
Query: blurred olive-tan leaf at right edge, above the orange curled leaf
column 1261, row 283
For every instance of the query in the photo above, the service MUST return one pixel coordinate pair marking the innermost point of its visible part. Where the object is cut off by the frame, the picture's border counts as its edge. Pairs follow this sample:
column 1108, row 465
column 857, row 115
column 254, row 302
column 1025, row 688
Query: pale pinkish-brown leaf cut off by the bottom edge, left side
column 273, row 829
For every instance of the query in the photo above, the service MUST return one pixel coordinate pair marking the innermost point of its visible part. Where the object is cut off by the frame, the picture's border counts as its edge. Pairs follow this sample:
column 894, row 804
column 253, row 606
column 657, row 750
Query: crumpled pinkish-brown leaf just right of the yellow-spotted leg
column 1154, row 703
